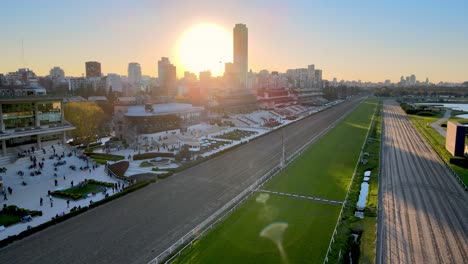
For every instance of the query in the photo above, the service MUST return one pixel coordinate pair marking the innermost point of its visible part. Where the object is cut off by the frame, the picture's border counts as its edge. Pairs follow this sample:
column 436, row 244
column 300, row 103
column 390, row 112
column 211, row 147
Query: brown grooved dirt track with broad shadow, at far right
column 423, row 210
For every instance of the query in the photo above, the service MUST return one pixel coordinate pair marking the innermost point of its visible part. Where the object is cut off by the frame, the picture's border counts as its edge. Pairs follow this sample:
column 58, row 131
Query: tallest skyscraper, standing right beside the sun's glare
column 241, row 54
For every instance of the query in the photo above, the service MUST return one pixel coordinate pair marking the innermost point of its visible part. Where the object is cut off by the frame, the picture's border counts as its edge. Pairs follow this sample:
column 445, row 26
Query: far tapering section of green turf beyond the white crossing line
column 325, row 169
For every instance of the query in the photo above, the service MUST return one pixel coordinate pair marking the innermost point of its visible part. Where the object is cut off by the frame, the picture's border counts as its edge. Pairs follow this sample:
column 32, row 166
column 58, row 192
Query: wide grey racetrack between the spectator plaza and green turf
column 140, row 225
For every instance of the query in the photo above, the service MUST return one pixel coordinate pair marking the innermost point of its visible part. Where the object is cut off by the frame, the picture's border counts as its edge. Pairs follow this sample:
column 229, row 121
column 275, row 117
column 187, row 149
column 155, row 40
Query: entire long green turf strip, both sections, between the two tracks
column 325, row 171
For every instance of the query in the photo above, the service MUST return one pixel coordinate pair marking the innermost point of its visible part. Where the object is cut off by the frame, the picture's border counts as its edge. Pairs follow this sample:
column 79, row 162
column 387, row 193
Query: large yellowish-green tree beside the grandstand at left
column 87, row 117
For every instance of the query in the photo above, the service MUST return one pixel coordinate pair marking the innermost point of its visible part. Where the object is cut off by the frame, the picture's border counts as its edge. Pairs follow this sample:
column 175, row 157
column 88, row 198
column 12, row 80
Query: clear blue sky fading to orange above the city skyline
column 367, row 40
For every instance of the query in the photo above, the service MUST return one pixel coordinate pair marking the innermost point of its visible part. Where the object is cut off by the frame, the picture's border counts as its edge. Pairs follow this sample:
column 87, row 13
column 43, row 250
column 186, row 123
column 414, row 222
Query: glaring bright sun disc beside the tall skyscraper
column 204, row 47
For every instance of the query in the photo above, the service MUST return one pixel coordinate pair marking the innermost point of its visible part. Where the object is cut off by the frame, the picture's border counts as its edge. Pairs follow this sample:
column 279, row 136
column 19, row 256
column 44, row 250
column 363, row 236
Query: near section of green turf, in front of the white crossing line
column 238, row 239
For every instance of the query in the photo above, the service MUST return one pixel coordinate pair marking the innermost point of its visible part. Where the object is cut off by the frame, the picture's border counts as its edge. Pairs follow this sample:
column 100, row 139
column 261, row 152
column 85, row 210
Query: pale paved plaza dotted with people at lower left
column 28, row 196
